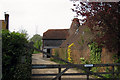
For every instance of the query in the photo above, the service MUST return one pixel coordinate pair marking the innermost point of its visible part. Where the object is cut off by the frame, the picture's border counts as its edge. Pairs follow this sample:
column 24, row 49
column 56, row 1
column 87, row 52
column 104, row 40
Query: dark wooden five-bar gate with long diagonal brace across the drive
column 84, row 67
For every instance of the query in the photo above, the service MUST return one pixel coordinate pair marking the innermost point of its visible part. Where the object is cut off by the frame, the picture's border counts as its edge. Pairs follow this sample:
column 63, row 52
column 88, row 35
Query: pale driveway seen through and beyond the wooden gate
column 38, row 59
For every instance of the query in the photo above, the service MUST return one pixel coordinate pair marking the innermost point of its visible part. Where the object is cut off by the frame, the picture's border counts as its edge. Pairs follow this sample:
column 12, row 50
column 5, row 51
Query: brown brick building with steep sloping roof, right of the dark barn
column 81, row 36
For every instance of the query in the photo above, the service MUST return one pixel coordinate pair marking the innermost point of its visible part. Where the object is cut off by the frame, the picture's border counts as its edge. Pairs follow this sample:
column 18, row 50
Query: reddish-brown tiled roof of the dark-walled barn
column 55, row 34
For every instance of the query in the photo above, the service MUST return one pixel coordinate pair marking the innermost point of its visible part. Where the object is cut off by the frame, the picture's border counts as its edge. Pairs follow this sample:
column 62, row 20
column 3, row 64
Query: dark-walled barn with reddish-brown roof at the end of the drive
column 53, row 38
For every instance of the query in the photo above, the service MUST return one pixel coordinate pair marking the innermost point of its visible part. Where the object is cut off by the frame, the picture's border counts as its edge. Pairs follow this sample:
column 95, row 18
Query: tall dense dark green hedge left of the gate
column 16, row 59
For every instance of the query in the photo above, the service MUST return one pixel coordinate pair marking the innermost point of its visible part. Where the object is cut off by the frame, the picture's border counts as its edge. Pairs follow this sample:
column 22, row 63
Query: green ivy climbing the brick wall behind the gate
column 95, row 56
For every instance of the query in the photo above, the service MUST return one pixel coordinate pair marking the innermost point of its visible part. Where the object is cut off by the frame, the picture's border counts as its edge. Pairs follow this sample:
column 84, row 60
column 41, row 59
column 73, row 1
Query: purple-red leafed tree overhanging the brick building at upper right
column 103, row 19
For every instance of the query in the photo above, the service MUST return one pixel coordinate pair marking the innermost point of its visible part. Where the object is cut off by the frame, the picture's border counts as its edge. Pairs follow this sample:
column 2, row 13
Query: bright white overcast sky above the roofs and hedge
column 37, row 16
